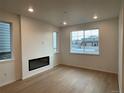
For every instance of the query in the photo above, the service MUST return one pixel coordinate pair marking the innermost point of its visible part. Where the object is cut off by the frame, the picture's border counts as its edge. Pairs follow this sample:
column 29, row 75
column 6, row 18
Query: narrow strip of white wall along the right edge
column 121, row 50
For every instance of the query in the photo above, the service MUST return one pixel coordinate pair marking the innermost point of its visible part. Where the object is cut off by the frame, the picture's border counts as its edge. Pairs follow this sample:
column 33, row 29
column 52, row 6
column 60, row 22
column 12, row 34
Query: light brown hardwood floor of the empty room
column 64, row 79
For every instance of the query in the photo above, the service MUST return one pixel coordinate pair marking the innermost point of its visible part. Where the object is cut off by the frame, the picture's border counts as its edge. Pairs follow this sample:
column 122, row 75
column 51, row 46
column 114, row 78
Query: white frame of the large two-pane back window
column 84, row 36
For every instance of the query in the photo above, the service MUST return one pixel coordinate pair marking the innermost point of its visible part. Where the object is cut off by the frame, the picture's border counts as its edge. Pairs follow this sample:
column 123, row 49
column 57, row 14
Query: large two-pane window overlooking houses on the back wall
column 85, row 41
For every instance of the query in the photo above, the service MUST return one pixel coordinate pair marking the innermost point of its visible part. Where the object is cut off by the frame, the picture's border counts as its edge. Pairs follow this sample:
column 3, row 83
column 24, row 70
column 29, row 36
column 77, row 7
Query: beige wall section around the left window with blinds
column 11, row 70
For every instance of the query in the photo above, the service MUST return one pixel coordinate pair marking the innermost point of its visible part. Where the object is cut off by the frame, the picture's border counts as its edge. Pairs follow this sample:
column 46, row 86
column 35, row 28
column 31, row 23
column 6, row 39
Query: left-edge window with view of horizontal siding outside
column 5, row 41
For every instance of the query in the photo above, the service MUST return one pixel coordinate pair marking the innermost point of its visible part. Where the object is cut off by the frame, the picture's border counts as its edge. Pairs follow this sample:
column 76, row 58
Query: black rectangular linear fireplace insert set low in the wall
column 38, row 63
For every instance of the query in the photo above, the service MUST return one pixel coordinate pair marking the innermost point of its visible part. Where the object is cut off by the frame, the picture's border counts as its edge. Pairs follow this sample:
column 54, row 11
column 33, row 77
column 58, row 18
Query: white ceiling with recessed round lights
column 52, row 11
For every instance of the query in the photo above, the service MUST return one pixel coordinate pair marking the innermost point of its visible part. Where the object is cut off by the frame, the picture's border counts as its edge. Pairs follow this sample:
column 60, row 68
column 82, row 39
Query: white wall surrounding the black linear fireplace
column 36, row 38
